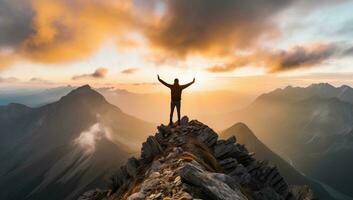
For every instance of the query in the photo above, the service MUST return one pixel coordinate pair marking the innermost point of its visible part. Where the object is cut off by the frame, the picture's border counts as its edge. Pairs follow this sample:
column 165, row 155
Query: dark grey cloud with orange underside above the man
column 216, row 27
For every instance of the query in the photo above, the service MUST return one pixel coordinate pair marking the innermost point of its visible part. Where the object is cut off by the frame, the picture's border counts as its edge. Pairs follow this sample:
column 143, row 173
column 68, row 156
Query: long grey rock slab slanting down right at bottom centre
column 214, row 188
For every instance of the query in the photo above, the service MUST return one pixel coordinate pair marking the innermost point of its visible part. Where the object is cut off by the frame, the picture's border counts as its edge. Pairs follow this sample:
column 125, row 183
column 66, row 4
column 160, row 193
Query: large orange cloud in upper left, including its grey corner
column 61, row 30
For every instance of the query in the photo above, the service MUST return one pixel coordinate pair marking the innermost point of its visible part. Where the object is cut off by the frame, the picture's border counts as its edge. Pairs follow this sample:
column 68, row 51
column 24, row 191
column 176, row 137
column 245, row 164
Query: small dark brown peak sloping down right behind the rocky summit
column 261, row 152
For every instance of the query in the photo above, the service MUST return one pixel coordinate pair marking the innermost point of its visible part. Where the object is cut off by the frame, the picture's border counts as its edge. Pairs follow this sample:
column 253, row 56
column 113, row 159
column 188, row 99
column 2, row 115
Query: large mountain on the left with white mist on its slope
column 58, row 150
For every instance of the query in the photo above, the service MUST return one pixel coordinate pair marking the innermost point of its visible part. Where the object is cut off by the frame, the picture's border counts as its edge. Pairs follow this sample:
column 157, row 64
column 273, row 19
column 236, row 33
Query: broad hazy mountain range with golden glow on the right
column 310, row 127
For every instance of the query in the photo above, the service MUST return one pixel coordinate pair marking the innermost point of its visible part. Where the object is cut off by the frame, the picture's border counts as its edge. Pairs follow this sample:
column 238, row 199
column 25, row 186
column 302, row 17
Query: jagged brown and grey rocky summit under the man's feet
column 189, row 161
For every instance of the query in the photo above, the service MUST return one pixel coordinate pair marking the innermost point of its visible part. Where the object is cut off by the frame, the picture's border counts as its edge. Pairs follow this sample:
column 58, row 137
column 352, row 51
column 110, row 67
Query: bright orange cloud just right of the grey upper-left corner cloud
column 71, row 30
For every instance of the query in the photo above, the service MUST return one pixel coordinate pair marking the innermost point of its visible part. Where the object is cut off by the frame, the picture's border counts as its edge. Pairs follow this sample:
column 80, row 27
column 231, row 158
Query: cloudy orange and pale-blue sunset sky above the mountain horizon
column 254, row 45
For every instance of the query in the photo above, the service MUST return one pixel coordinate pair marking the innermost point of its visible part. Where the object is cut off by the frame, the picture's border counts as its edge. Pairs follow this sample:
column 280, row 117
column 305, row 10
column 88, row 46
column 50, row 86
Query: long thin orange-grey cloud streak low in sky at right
column 283, row 60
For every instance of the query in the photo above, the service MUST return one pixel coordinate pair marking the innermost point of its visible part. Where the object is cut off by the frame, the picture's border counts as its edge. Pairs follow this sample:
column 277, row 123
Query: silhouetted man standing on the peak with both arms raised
column 175, row 94
